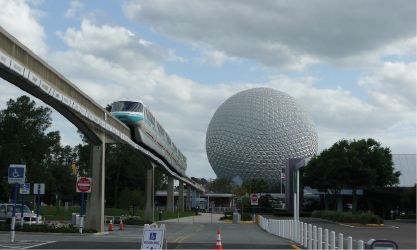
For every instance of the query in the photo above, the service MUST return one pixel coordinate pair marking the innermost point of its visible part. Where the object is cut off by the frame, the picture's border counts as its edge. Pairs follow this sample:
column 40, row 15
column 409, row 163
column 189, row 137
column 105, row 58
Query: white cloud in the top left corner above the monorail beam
column 19, row 19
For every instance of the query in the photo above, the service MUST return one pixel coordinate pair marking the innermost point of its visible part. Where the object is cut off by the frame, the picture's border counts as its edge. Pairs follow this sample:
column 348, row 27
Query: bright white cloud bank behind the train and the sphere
column 185, row 107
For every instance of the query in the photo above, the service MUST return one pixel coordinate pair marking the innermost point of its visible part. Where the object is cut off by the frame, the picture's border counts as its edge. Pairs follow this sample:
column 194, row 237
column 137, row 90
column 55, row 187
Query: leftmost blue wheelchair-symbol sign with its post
column 16, row 175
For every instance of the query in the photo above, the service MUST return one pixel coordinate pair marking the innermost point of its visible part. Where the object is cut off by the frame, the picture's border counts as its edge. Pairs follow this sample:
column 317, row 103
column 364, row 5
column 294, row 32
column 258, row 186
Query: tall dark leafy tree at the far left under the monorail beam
column 23, row 139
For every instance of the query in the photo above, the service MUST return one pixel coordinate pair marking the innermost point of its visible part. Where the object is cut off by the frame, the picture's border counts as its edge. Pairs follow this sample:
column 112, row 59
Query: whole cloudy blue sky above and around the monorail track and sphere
column 351, row 64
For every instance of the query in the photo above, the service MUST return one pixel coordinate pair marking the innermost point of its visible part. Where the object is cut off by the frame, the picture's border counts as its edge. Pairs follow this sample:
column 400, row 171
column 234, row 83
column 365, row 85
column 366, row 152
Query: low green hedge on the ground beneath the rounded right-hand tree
column 348, row 217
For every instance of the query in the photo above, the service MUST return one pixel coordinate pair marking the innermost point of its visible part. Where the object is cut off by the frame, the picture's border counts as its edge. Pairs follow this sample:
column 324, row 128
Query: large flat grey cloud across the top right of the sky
column 285, row 34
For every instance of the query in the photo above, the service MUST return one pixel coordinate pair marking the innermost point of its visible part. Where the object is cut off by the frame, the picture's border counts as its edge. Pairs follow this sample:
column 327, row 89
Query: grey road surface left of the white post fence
column 189, row 233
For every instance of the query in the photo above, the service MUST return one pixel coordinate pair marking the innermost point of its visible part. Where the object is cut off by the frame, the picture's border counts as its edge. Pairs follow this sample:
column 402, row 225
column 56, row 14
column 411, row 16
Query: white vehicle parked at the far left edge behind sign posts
column 6, row 210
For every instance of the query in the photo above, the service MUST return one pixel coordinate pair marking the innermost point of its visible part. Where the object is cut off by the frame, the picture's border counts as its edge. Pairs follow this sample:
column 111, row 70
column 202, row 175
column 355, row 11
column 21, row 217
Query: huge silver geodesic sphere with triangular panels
column 254, row 133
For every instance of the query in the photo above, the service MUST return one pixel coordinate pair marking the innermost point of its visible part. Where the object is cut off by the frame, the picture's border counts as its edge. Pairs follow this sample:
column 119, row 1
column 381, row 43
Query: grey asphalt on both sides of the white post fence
column 199, row 232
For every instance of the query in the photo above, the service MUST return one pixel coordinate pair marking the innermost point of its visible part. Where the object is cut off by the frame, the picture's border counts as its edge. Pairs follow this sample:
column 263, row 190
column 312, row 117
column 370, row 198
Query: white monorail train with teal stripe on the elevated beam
column 148, row 132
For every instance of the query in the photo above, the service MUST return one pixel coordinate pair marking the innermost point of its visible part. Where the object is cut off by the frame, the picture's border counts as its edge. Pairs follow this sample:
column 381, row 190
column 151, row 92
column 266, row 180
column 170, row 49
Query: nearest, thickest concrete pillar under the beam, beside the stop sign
column 95, row 202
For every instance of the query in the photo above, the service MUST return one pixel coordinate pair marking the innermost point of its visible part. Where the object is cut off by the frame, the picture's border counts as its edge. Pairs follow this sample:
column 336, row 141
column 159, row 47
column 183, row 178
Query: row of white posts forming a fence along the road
column 308, row 235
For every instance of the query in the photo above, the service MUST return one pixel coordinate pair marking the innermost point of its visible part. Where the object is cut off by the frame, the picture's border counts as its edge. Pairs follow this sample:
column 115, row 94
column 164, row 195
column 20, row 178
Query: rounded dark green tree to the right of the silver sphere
column 351, row 165
